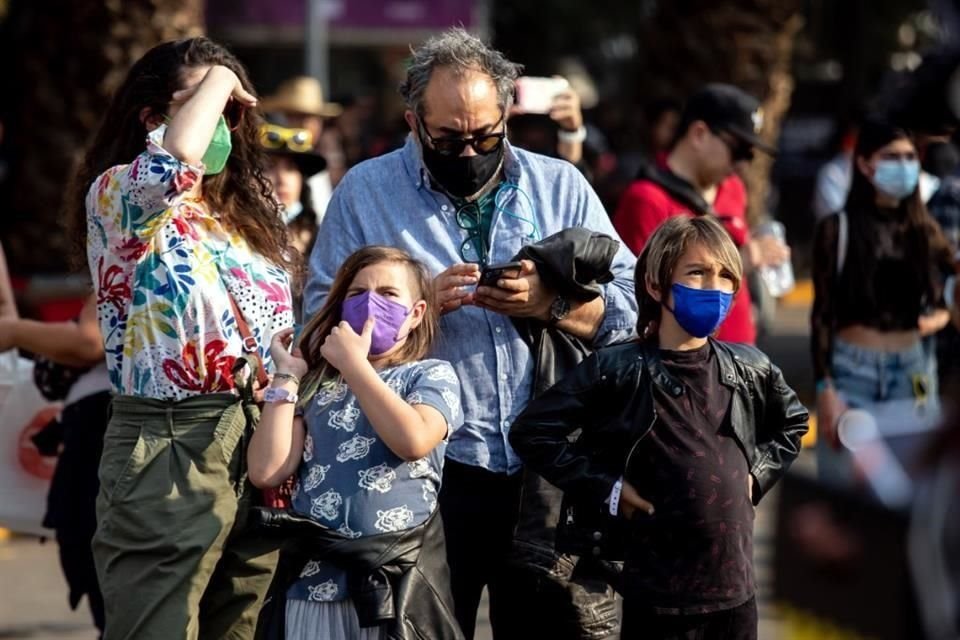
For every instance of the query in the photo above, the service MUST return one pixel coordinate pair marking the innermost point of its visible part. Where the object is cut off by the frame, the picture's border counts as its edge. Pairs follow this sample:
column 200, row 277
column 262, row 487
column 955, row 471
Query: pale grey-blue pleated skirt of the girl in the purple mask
column 329, row 620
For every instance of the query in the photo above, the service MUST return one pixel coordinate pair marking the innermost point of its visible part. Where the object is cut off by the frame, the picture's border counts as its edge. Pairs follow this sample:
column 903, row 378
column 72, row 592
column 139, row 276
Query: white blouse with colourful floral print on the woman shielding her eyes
column 162, row 266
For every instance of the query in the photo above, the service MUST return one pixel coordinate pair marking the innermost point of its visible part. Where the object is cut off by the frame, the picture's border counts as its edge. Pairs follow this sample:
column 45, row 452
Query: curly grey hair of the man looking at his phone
column 460, row 51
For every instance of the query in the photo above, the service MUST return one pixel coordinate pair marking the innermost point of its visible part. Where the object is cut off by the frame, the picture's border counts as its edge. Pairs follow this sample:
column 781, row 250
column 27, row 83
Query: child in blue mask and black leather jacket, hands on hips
column 680, row 436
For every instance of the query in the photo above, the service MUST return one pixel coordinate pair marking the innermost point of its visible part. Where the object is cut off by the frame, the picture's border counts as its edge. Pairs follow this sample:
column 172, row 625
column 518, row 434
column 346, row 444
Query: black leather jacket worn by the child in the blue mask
column 609, row 398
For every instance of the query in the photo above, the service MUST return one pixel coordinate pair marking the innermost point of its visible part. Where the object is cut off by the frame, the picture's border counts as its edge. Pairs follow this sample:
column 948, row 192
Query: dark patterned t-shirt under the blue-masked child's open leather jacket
column 694, row 555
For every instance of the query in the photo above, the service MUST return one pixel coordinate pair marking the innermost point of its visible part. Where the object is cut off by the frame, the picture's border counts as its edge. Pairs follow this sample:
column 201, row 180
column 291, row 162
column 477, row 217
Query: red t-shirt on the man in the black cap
column 645, row 205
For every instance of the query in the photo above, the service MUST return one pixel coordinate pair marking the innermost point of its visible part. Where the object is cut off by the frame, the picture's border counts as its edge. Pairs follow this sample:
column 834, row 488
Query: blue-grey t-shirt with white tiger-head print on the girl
column 352, row 482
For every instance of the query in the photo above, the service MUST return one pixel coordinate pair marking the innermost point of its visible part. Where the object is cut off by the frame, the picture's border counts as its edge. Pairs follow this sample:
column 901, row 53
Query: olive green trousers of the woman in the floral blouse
column 173, row 554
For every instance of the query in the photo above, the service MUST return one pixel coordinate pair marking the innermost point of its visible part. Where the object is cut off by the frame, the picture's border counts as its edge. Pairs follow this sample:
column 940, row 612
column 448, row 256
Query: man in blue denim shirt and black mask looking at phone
column 458, row 197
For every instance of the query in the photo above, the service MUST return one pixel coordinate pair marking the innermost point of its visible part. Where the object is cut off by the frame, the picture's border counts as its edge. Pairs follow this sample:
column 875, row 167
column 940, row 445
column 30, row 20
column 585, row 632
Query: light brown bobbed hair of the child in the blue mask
column 662, row 254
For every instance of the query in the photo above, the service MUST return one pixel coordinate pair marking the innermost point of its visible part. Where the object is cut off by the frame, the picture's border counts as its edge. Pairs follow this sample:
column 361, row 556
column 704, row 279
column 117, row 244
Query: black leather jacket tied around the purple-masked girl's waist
column 398, row 578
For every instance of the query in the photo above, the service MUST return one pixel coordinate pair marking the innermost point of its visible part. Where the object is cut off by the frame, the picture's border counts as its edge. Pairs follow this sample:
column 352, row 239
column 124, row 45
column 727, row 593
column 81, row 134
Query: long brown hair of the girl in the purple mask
column 319, row 327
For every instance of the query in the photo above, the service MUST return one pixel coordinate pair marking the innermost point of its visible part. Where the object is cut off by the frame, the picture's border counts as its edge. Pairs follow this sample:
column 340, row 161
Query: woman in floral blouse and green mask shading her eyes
column 189, row 260
